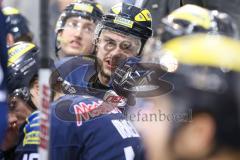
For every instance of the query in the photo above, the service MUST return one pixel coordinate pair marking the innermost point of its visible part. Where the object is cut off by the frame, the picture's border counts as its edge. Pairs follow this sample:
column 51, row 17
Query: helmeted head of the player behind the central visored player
column 75, row 28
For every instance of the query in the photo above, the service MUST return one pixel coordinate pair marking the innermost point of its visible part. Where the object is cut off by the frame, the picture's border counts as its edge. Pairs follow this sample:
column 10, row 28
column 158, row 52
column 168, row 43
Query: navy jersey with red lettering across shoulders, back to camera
column 86, row 128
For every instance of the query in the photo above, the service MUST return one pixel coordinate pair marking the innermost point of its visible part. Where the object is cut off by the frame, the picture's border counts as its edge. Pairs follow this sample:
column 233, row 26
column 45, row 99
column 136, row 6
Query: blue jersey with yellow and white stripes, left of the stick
column 27, row 148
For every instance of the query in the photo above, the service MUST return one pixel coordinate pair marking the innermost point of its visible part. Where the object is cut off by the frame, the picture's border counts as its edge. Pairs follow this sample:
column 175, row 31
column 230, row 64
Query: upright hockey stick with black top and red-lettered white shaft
column 44, row 74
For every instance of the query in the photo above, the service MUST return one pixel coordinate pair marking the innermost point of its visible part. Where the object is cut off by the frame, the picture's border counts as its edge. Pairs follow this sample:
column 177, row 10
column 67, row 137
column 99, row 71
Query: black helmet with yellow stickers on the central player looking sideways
column 127, row 19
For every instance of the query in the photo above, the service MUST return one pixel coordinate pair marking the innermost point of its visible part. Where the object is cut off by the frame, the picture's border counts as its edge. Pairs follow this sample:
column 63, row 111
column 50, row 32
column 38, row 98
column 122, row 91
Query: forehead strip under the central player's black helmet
column 119, row 36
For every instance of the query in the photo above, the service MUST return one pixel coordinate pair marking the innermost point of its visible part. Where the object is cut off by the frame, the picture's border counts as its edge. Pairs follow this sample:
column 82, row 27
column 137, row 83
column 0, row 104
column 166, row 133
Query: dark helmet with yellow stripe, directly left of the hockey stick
column 23, row 64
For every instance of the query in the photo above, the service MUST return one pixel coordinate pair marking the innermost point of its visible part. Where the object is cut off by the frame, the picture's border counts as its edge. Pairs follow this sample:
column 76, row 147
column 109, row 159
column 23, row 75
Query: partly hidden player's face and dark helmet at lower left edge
column 19, row 110
